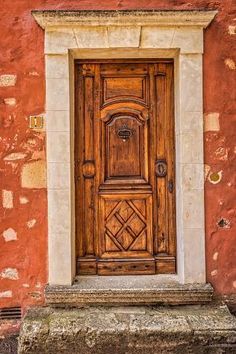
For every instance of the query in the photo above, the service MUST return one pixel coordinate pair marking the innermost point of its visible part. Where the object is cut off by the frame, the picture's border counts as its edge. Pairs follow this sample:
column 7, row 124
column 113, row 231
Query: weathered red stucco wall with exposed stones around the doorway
column 23, row 211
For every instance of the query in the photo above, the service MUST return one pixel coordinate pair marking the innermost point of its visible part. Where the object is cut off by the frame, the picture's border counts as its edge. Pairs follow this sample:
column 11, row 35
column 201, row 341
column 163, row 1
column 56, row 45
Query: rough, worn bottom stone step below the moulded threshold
column 196, row 329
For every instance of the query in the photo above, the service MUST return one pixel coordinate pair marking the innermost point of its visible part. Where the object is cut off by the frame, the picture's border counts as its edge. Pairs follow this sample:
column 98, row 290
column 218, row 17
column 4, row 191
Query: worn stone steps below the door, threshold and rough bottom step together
column 125, row 317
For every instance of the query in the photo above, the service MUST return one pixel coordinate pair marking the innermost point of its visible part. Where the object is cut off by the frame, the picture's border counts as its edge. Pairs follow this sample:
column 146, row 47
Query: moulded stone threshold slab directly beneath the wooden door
column 128, row 290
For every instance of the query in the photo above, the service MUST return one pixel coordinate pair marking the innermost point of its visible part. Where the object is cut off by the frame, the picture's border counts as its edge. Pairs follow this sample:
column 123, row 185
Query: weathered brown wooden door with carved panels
column 124, row 167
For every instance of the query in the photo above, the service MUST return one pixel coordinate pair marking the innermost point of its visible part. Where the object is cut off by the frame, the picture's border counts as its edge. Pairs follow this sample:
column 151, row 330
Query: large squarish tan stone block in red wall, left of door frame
column 33, row 175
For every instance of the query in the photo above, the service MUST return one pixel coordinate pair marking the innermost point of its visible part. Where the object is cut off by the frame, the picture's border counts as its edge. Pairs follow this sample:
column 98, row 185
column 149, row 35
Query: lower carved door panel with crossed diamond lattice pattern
column 125, row 225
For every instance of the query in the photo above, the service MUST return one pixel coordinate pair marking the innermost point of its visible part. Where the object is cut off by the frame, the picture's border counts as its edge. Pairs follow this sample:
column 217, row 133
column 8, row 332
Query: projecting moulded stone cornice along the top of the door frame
column 54, row 18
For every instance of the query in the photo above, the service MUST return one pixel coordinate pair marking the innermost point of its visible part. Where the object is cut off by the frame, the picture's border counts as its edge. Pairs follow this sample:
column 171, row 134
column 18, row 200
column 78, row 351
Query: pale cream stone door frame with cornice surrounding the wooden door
column 71, row 35
